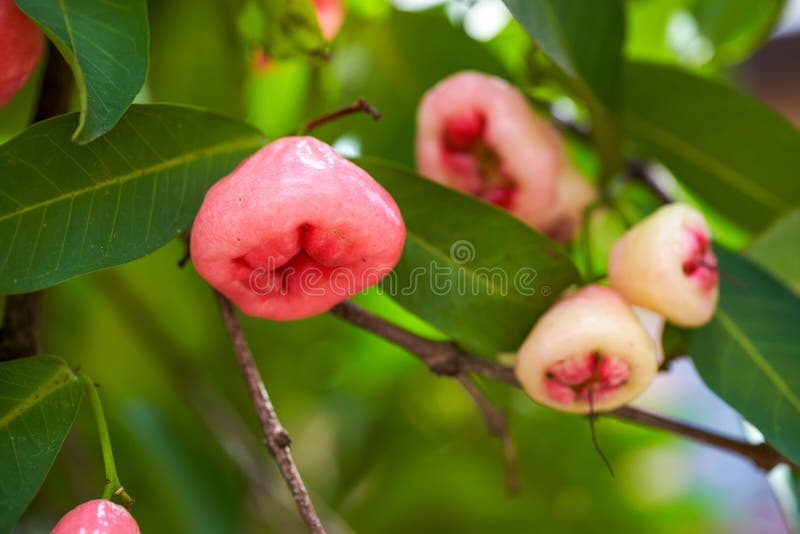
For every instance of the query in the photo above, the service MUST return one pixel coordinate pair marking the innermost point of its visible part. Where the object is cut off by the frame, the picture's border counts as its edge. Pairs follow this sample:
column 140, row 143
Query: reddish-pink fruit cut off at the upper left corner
column 21, row 46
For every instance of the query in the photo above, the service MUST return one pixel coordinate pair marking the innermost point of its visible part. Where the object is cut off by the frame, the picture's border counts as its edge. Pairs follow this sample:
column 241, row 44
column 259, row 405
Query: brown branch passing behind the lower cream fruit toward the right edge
column 446, row 358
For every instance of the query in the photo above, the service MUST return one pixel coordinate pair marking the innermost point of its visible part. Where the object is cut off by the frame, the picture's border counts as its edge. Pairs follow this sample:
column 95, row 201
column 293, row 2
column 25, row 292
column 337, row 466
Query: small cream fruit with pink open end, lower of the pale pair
column 588, row 347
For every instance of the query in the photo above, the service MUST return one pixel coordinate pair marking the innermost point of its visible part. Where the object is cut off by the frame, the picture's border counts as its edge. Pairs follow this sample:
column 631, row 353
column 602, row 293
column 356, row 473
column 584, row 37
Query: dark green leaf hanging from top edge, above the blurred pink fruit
column 583, row 37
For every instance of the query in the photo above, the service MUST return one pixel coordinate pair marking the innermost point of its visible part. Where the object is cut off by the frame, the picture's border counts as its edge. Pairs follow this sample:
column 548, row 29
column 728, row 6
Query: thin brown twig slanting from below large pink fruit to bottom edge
column 276, row 438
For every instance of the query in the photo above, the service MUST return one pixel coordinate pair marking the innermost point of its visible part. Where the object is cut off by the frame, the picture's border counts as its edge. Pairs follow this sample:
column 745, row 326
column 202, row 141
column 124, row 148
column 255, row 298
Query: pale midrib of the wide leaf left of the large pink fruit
column 188, row 157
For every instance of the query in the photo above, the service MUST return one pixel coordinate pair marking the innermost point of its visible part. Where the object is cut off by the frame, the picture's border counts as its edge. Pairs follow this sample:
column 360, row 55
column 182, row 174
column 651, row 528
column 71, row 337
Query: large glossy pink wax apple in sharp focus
column 294, row 230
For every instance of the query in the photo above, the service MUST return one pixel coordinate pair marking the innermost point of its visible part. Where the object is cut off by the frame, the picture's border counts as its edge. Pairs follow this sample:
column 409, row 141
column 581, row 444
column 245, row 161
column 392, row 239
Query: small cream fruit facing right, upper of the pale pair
column 665, row 264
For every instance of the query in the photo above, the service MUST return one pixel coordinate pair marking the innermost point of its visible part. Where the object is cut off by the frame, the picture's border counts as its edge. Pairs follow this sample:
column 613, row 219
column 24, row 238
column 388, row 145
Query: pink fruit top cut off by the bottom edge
column 97, row 517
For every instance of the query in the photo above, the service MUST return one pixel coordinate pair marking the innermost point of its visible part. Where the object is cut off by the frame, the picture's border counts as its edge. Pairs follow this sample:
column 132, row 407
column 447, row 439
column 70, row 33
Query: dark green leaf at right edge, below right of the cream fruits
column 747, row 354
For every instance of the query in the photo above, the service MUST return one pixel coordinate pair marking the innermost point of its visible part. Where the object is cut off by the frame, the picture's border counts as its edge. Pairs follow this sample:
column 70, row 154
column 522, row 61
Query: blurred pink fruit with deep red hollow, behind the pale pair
column 476, row 133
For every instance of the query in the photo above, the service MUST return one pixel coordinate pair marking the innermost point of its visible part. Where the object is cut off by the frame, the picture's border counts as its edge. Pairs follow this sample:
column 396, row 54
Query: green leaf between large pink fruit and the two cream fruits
column 469, row 268
